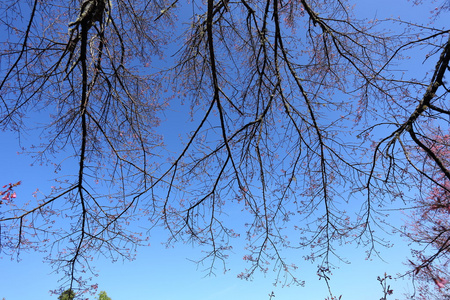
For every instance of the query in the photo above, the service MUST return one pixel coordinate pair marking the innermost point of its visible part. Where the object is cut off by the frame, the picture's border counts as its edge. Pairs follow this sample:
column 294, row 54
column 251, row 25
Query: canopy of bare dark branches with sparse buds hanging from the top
column 303, row 128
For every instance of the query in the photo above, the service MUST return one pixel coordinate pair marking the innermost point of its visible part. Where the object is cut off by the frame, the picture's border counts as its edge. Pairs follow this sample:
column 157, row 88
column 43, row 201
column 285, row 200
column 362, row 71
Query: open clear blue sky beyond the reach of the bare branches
column 166, row 274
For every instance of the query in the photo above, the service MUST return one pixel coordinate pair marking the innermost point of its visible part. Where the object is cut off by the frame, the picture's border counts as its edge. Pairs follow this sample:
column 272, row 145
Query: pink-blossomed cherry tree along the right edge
column 429, row 225
